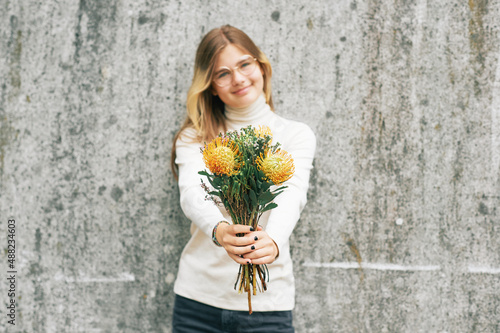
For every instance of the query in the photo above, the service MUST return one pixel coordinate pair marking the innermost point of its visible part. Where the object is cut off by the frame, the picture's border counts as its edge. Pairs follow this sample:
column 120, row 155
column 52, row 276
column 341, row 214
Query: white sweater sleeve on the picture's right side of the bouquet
column 282, row 219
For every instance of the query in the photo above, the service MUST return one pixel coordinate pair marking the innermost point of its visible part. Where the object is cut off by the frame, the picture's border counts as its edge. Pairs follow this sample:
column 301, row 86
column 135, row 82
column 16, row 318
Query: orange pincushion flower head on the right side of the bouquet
column 277, row 167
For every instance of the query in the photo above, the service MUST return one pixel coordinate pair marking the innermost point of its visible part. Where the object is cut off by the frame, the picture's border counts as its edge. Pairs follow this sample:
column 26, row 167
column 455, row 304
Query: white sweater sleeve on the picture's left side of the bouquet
column 203, row 213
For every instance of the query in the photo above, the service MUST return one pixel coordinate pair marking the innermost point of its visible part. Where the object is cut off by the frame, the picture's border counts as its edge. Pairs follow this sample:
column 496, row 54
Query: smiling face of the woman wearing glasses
column 242, row 90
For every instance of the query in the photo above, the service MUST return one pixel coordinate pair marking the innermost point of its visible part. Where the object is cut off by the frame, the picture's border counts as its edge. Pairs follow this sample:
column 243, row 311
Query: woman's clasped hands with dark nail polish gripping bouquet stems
column 255, row 247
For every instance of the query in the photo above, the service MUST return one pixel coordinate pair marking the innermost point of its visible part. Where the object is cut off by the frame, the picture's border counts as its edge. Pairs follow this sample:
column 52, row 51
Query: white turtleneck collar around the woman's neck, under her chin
column 253, row 114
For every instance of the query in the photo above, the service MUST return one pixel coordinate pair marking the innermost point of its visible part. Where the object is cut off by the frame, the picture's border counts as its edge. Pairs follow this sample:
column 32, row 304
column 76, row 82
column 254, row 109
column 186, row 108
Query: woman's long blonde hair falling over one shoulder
column 205, row 111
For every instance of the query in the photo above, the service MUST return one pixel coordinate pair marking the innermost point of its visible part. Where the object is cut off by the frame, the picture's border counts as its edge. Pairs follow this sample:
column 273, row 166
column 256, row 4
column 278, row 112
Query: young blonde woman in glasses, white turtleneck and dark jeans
column 231, row 89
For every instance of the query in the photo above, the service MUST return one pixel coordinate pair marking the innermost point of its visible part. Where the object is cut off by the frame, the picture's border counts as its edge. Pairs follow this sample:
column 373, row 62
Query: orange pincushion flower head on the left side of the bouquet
column 220, row 156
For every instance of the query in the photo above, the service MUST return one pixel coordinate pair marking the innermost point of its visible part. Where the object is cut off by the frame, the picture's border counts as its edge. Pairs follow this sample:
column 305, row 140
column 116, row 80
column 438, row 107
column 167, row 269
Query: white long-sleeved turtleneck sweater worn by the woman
column 206, row 273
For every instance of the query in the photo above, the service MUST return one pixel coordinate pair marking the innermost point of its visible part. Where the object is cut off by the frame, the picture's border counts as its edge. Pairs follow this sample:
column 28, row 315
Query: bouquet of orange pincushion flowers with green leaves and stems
column 244, row 165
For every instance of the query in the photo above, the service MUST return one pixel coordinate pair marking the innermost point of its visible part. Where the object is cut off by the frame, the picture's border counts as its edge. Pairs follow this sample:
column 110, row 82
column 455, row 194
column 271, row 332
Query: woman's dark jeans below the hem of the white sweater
column 194, row 317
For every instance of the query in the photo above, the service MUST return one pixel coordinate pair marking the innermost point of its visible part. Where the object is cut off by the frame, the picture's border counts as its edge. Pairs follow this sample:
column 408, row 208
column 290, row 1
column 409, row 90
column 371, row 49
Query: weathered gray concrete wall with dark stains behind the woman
column 401, row 231
